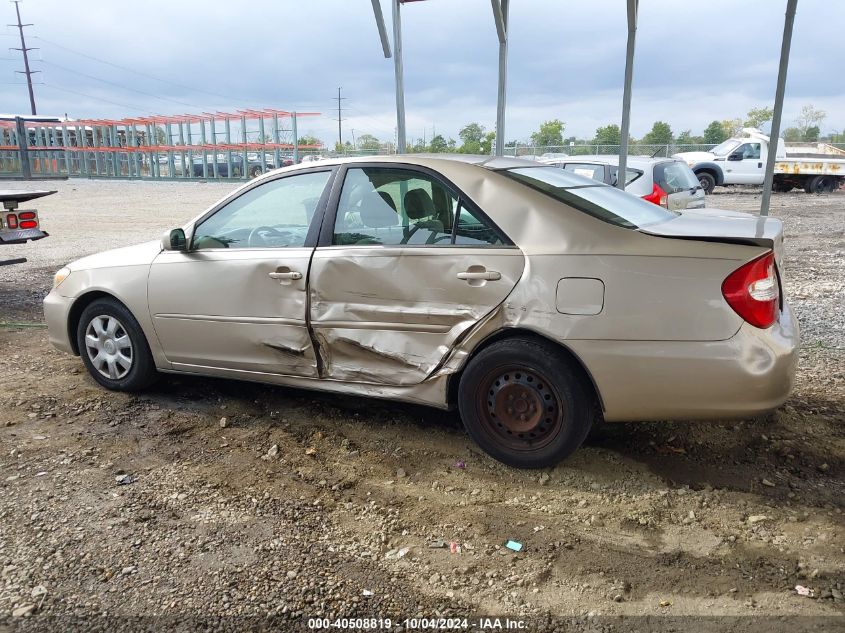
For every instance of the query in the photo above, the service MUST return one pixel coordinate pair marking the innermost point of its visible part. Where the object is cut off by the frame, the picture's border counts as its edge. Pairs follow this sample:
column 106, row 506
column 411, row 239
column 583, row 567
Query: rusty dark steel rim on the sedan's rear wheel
column 519, row 408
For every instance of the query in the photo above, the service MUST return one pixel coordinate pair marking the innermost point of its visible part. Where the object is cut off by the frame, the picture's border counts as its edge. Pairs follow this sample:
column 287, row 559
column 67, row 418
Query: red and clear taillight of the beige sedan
column 752, row 291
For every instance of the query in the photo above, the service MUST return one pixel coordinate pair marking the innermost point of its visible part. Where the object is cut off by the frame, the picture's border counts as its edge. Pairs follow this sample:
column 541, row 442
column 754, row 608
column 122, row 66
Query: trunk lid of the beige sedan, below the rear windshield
column 717, row 225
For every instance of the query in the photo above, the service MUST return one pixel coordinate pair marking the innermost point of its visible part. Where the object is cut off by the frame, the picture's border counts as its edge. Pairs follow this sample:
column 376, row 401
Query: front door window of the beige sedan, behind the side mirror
column 276, row 214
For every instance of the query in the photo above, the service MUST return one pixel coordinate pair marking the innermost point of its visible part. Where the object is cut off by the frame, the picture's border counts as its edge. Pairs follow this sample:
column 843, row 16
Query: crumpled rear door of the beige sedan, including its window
column 404, row 267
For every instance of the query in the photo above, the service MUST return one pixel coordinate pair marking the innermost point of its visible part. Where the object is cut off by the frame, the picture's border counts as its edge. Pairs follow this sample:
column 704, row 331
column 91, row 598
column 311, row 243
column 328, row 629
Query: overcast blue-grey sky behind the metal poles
column 694, row 62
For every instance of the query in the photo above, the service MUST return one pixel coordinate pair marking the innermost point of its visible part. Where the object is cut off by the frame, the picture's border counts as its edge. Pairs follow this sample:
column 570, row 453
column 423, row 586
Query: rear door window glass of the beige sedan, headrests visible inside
column 400, row 207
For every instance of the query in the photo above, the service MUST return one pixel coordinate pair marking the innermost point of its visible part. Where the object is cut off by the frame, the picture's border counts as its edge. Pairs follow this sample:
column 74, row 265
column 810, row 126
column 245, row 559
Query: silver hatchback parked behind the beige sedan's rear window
column 667, row 182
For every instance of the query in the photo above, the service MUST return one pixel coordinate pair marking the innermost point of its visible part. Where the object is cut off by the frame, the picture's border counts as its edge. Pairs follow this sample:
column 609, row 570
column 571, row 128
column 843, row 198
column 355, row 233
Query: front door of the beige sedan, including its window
column 237, row 299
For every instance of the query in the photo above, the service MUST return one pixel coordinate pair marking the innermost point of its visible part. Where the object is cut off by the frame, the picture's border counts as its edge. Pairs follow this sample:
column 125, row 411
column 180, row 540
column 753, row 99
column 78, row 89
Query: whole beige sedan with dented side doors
column 532, row 299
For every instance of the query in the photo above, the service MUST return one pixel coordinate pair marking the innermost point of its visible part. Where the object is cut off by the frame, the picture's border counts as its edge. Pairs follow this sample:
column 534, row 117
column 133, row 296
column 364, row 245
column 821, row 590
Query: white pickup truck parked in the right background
column 813, row 167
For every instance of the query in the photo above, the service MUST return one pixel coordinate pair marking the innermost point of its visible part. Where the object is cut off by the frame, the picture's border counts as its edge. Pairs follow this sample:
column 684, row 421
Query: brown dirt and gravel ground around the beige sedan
column 679, row 525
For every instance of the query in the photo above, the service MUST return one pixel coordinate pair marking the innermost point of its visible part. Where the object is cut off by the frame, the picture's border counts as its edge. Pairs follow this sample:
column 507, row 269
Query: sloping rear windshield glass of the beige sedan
column 608, row 204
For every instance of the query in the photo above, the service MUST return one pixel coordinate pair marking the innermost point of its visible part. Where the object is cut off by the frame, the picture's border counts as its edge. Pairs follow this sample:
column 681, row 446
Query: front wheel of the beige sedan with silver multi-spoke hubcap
column 113, row 347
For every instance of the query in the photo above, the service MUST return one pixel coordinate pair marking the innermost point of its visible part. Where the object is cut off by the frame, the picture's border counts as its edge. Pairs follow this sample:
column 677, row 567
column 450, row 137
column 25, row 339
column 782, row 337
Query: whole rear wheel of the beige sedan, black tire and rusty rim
column 523, row 403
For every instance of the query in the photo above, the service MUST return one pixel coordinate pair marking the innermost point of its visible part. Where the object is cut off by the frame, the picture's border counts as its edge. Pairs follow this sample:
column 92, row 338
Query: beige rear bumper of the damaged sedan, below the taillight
column 751, row 373
